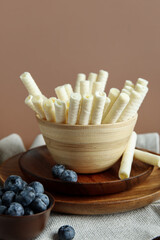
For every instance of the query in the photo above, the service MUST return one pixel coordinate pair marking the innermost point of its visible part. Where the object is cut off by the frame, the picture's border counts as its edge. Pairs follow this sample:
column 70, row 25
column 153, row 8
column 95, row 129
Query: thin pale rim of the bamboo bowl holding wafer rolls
column 76, row 126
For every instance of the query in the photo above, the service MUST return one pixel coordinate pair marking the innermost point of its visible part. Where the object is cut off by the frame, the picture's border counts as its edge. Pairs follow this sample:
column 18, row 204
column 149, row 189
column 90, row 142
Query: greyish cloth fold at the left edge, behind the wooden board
column 10, row 146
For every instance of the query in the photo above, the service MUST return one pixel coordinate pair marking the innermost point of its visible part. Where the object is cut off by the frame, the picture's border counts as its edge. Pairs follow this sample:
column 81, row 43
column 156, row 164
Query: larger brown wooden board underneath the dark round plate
column 137, row 197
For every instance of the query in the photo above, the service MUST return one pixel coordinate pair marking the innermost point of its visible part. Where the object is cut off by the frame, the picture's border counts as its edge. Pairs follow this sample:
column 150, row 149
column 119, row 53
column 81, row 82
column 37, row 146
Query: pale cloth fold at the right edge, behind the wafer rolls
column 149, row 141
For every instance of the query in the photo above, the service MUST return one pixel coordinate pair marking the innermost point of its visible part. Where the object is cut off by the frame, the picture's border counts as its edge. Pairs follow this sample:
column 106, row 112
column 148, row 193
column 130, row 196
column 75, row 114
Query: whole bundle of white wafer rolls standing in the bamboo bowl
column 88, row 103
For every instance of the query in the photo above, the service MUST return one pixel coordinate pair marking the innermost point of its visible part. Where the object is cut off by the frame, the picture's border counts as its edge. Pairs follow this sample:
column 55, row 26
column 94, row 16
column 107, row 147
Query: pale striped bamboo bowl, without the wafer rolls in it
column 87, row 149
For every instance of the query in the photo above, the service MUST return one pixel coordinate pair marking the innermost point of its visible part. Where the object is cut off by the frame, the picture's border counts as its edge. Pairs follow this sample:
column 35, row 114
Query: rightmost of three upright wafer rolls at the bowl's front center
column 97, row 108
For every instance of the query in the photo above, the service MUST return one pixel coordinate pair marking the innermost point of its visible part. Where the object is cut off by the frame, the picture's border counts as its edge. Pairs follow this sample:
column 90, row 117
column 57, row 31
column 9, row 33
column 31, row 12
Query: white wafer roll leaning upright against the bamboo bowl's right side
column 127, row 158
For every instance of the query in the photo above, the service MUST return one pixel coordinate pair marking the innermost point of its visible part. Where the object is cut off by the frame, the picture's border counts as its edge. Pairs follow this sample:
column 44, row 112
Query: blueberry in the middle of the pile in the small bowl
column 26, row 196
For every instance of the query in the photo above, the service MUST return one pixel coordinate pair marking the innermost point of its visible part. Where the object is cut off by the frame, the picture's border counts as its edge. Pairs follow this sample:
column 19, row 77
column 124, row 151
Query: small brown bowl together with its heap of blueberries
column 24, row 209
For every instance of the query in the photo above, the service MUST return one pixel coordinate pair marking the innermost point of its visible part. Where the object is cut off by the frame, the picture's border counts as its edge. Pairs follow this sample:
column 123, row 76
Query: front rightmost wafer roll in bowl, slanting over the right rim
column 132, row 107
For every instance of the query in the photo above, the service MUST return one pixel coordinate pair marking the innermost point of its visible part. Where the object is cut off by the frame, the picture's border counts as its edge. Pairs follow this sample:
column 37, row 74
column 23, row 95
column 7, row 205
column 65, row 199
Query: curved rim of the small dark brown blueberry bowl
column 51, row 206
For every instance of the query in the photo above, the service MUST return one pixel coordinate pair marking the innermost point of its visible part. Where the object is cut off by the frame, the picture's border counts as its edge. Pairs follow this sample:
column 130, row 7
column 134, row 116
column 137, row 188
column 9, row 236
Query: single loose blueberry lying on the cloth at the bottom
column 66, row 232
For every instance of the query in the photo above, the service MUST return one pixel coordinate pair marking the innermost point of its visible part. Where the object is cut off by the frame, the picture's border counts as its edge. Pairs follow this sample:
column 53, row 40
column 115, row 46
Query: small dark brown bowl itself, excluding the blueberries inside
column 25, row 227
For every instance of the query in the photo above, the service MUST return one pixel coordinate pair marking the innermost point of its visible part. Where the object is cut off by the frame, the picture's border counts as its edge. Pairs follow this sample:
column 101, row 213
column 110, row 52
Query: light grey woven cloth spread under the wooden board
column 140, row 224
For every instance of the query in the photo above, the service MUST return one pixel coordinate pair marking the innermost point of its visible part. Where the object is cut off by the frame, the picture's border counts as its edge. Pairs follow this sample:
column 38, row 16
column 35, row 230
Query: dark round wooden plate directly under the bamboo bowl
column 36, row 164
